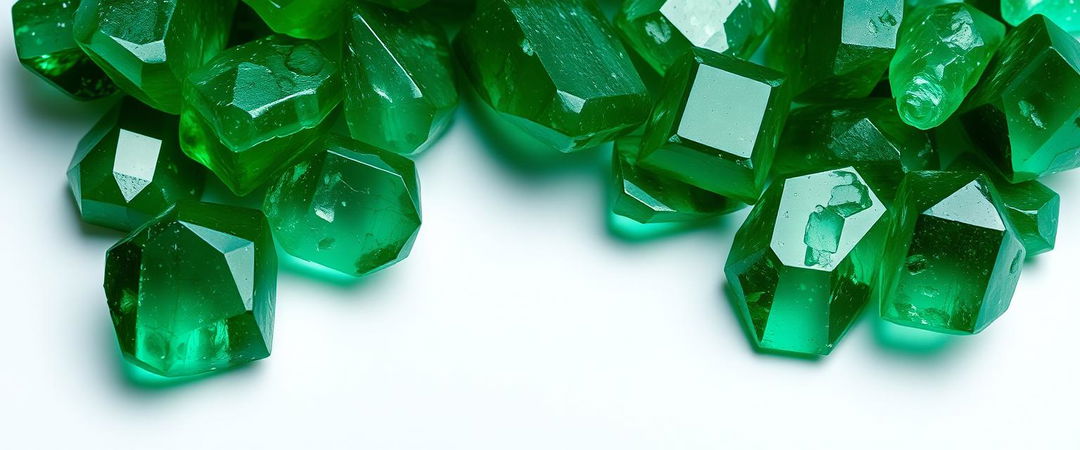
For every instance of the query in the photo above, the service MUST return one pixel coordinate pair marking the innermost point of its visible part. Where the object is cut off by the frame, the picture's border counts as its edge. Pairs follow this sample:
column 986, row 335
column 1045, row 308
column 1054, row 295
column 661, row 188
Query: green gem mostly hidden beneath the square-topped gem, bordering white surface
column 649, row 198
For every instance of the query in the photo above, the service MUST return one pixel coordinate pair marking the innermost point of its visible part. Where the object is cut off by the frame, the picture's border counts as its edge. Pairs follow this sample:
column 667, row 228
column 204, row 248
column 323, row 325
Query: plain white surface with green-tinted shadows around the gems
column 520, row 322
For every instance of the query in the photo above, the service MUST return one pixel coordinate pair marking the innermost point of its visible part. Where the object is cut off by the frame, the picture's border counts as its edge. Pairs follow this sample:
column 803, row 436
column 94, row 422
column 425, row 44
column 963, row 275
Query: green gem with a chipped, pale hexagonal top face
column 803, row 263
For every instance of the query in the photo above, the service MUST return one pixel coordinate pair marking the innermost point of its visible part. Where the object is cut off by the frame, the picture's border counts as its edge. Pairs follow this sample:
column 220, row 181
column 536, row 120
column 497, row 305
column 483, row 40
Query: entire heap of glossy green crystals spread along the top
column 890, row 149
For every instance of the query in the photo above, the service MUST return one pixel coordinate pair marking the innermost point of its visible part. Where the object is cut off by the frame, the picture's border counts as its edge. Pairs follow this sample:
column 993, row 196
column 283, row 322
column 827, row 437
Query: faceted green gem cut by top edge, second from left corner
column 148, row 47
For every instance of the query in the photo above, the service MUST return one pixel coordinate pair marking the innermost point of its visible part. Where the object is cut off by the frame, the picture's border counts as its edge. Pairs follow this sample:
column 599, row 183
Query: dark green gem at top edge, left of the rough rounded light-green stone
column 835, row 49
